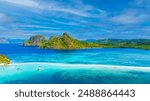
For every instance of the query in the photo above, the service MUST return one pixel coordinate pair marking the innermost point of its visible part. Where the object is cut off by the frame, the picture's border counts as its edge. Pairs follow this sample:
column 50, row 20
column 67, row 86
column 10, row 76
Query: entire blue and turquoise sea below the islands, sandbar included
column 83, row 66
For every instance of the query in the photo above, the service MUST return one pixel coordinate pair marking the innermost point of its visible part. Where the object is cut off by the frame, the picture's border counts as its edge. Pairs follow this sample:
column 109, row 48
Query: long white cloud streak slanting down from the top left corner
column 78, row 7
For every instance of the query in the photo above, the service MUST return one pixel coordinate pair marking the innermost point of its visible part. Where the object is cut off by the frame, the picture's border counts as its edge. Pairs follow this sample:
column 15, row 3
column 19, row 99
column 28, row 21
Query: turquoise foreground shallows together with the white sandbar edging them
column 53, row 73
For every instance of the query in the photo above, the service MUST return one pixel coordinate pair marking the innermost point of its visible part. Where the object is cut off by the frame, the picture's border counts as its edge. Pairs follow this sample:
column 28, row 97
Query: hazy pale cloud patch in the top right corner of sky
column 137, row 12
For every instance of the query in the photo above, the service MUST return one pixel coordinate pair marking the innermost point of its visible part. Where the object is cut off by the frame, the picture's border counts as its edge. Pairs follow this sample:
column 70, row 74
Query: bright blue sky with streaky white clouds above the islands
column 82, row 19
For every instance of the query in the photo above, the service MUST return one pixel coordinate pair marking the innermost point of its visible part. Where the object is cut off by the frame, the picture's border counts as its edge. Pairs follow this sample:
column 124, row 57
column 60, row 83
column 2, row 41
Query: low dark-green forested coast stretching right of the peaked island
column 125, row 43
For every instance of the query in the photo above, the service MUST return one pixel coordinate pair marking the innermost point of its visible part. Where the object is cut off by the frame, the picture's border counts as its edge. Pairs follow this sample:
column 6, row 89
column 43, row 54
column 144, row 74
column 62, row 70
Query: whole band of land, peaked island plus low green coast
column 67, row 42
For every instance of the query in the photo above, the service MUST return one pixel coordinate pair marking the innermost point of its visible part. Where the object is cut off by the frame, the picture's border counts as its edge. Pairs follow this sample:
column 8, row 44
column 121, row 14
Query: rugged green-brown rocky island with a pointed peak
column 59, row 42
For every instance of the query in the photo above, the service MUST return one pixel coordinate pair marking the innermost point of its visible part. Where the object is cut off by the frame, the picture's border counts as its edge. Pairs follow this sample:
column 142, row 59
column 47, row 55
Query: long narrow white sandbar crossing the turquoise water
column 66, row 65
